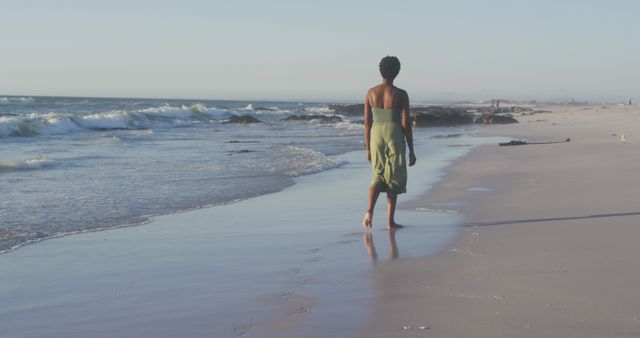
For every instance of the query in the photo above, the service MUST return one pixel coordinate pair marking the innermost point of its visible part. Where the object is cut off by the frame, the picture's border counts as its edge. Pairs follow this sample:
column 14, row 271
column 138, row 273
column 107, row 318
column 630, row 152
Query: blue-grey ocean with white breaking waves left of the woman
column 70, row 164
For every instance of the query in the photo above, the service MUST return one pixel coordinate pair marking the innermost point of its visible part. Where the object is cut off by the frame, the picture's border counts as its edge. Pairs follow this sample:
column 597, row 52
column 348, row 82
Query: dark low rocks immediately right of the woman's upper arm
column 441, row 116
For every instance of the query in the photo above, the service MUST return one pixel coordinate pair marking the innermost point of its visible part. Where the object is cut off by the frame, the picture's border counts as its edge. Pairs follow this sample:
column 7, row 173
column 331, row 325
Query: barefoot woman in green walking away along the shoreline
column 387, row 125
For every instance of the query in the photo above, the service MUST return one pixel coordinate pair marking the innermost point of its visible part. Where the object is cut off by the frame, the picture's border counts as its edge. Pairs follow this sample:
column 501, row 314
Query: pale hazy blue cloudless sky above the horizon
column 320, row 50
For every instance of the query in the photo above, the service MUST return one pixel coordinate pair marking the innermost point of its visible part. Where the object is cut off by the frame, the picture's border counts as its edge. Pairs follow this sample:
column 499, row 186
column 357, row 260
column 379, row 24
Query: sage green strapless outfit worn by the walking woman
column 388, row 151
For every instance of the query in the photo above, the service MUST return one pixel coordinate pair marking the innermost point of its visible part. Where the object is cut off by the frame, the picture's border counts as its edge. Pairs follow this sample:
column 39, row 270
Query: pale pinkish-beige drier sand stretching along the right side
column 552, row 247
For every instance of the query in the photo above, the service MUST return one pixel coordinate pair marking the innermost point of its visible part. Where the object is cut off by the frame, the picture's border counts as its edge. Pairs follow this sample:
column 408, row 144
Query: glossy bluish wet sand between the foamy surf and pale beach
column 292, row 263
